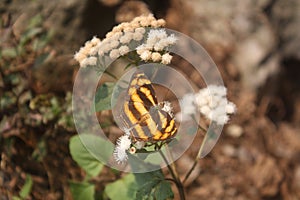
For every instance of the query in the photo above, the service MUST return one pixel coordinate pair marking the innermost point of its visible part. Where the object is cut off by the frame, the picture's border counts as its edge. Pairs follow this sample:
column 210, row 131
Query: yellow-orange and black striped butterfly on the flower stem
column 145, row 118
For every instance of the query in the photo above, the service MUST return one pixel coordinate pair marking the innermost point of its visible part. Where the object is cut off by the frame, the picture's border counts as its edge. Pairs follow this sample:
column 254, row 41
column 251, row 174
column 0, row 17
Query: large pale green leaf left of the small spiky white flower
column 87, row 150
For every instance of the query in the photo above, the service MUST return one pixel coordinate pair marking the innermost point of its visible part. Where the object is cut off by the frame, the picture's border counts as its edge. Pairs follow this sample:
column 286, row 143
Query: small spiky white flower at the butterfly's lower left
column 123, row 144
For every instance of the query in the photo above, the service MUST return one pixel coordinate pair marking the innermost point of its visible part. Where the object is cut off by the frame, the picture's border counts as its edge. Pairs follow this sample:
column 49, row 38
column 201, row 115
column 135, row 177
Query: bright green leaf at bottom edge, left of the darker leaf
column 123, row 189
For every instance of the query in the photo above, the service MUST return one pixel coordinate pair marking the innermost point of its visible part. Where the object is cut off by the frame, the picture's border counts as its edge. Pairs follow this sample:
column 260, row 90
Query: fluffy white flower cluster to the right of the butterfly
column 210, row 102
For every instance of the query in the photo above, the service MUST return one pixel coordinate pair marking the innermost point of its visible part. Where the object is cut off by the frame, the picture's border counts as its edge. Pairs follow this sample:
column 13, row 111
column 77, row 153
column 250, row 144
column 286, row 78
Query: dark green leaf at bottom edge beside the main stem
column 152, row 185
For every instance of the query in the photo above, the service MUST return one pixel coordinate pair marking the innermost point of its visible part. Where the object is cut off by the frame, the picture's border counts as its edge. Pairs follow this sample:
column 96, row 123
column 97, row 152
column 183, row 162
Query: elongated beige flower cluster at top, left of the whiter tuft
column 116, row 43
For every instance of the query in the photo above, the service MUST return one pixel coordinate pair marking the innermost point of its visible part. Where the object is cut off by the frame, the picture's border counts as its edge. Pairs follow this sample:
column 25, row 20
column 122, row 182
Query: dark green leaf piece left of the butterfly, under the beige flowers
column 103, row 97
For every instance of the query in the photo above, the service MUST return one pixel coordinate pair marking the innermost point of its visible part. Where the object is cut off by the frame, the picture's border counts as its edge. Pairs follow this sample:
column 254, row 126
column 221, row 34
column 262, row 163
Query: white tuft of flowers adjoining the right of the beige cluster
column 157, row 42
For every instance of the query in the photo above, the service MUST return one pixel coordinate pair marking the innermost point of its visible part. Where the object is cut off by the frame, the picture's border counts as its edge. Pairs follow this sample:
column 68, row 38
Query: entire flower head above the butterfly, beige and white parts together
column 117, row 42
